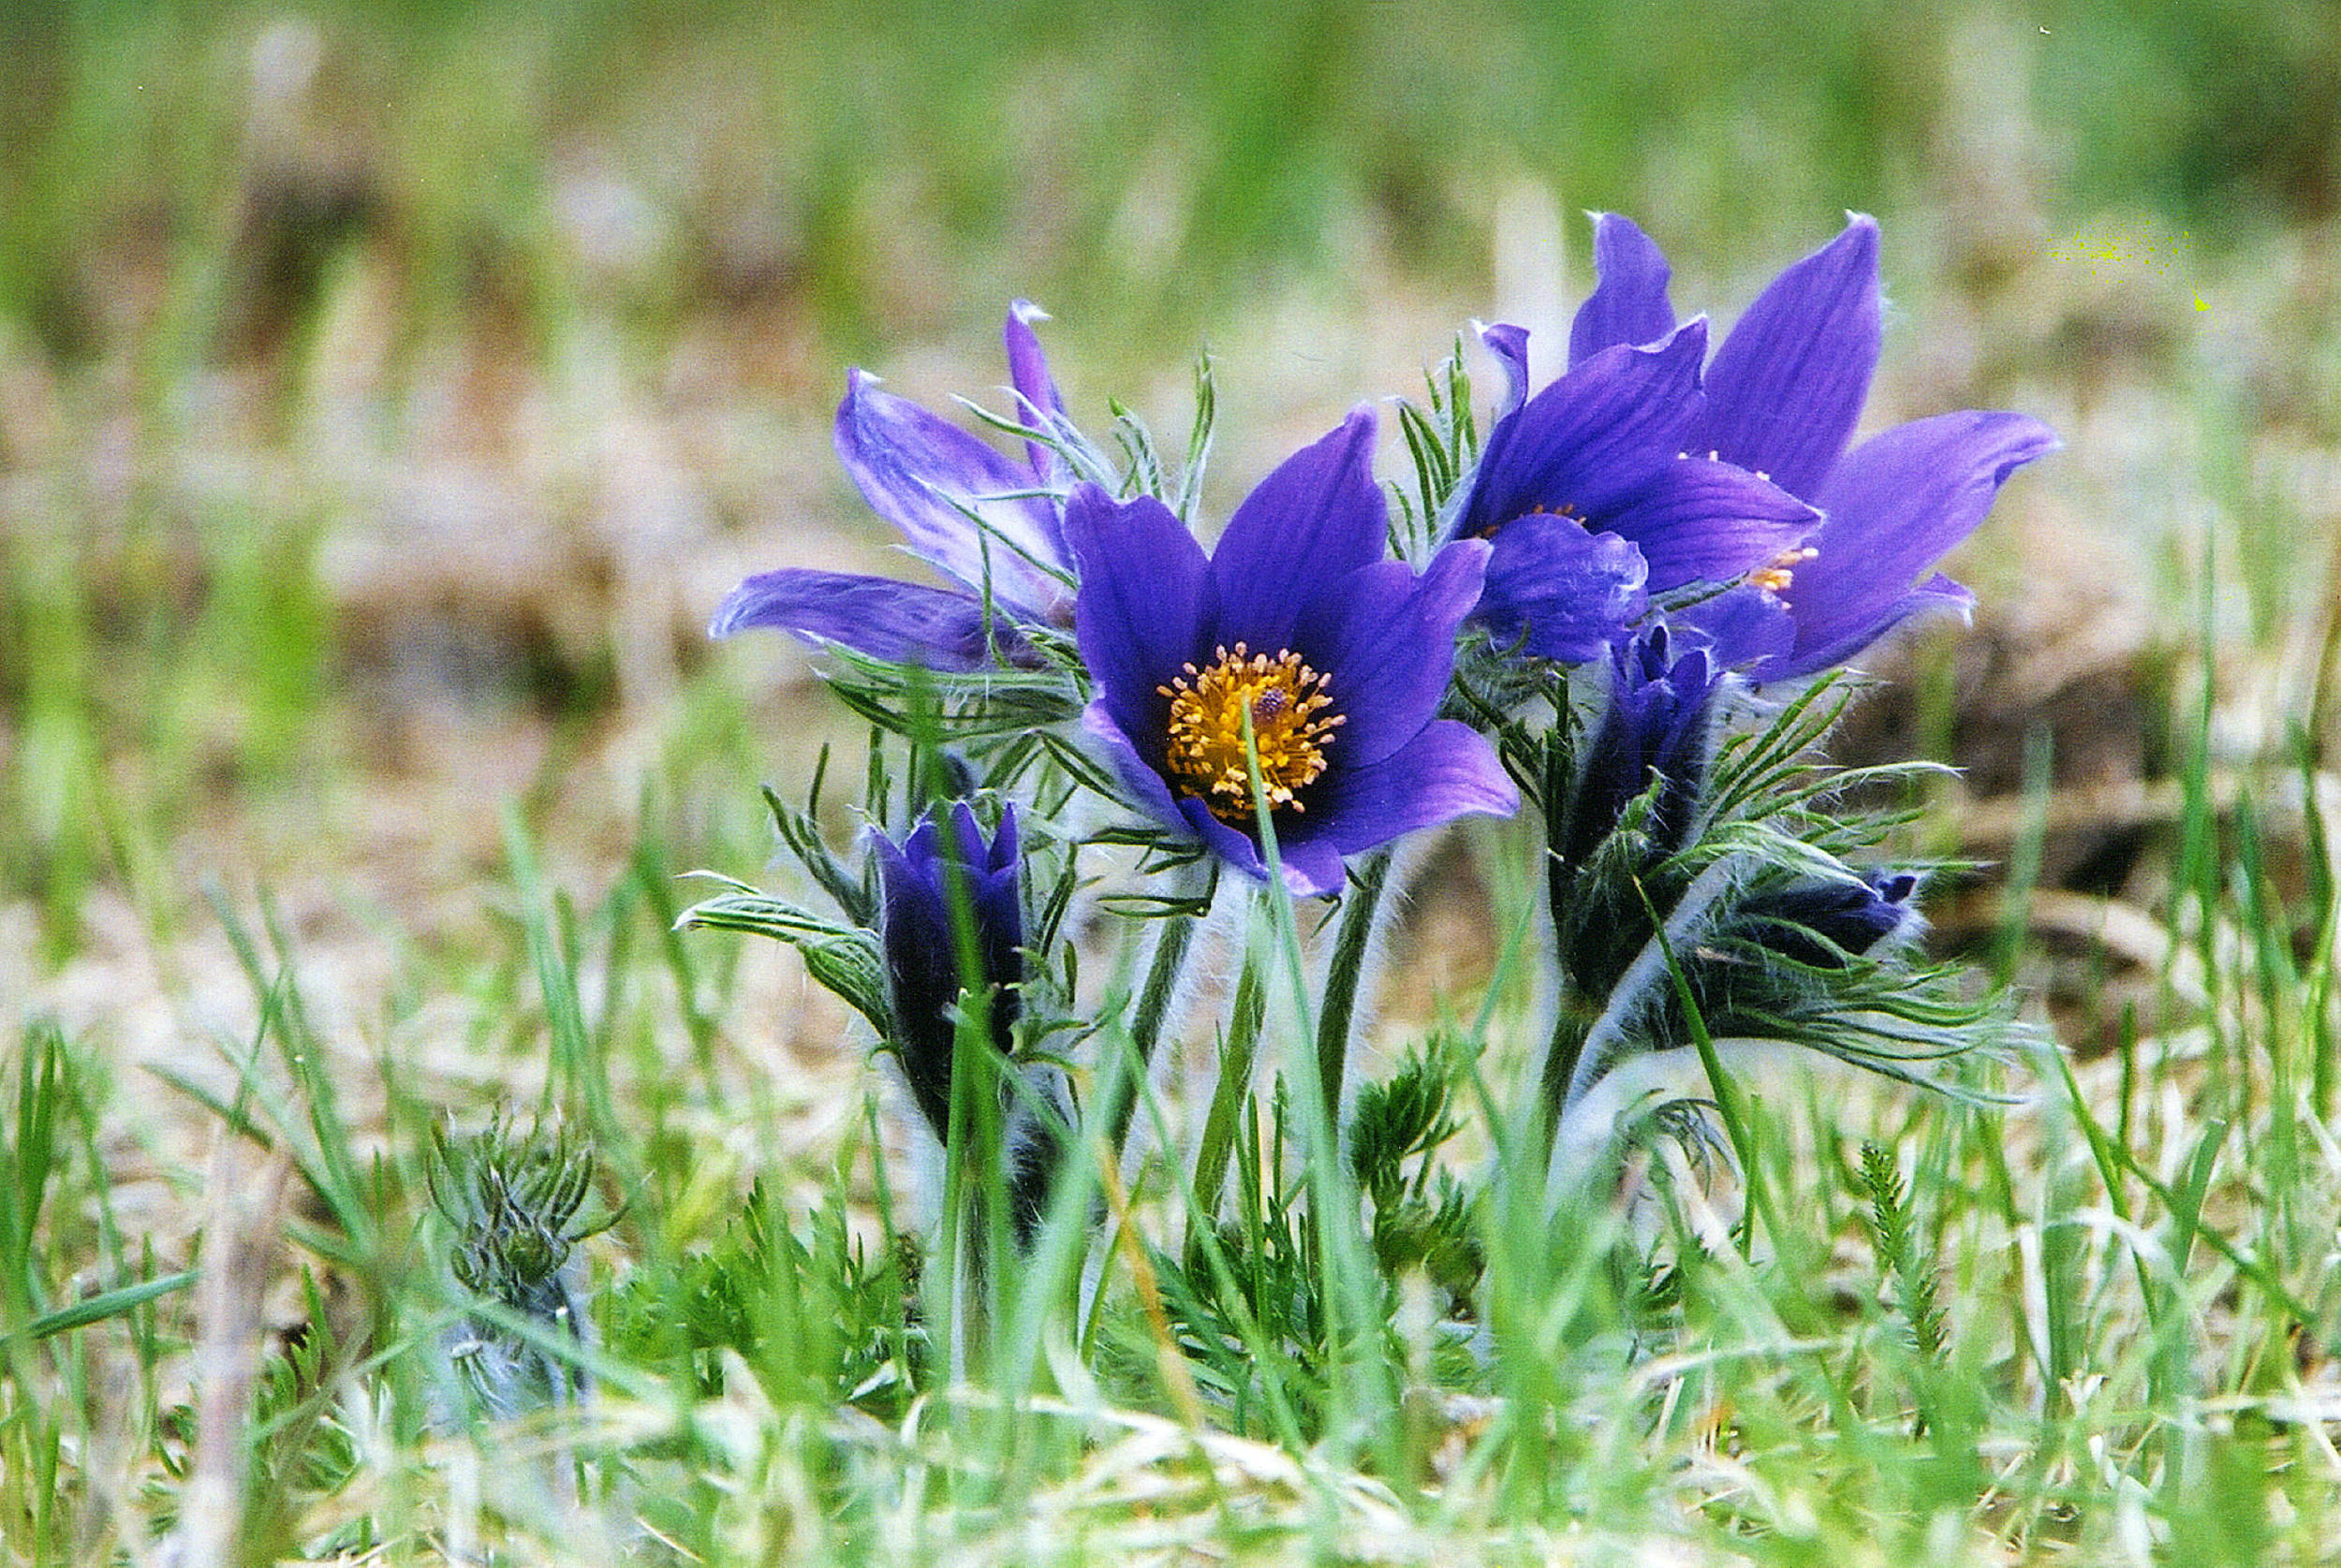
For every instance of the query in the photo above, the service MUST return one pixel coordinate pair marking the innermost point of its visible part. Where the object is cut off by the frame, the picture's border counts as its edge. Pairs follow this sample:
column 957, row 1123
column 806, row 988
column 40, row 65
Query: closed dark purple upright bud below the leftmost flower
column 919, row 883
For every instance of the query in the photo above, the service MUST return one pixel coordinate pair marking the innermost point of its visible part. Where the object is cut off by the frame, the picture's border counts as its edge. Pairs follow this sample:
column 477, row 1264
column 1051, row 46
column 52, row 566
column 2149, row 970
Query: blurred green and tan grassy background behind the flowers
column 387, row 392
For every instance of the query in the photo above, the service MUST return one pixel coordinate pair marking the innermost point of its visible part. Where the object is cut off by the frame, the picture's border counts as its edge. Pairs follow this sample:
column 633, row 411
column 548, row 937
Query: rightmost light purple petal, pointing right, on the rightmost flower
column 1895, row 507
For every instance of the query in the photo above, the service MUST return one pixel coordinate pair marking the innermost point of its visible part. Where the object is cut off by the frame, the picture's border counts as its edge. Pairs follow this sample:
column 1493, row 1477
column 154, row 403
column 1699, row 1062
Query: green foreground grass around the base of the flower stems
column 2101, row 1314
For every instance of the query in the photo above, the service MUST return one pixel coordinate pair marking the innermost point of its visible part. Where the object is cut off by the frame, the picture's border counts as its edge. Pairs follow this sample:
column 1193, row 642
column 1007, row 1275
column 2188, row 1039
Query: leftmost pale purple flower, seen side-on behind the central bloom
column 984, row 521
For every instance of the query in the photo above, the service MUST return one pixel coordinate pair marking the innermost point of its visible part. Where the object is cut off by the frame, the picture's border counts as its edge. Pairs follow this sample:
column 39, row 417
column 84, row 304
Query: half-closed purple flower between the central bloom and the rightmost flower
column 1598, row 497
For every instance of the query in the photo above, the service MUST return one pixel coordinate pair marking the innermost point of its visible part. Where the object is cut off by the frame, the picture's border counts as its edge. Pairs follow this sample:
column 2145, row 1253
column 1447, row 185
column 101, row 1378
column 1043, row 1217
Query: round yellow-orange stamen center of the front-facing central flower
column 1291, row 729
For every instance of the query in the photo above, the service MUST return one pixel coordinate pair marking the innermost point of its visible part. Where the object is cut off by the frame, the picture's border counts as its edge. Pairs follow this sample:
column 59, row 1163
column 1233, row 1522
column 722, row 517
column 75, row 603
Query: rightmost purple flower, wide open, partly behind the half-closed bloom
column 1783, row 399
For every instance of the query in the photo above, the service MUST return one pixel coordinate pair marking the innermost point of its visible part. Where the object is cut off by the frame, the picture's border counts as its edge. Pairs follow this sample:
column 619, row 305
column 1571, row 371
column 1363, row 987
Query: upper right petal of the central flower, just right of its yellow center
column 1387, row 645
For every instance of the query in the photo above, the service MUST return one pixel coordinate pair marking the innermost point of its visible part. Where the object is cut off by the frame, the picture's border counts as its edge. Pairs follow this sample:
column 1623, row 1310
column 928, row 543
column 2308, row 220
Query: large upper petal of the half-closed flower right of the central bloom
column 1593, row 436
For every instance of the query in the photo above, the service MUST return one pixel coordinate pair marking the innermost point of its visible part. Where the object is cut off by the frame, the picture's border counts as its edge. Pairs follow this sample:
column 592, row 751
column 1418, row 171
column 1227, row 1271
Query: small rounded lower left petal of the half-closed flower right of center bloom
column 1558, row 591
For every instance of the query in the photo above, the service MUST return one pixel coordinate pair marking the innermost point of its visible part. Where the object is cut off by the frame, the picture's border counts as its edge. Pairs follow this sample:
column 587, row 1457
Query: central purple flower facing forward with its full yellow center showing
column 1298, row 621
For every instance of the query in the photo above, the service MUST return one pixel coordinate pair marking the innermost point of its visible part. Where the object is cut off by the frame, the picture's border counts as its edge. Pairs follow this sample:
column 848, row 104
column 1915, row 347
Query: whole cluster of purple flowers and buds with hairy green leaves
column 1623, row 610
